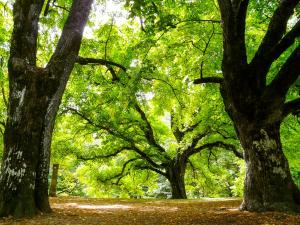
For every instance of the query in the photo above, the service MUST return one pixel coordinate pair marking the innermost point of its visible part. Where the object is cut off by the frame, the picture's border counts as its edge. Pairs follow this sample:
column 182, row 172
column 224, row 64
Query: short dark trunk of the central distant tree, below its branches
column 175, row 175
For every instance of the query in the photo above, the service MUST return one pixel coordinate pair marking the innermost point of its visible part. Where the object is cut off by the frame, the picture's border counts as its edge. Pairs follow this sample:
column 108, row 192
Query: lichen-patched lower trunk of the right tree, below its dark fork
column 268, row 183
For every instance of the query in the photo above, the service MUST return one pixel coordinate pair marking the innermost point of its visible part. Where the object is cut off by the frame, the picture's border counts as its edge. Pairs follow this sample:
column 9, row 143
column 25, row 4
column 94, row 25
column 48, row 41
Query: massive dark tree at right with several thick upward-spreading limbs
column 257, row 107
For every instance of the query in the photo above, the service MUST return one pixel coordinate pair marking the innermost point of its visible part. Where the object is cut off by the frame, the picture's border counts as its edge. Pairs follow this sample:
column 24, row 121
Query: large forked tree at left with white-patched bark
column 34, row 97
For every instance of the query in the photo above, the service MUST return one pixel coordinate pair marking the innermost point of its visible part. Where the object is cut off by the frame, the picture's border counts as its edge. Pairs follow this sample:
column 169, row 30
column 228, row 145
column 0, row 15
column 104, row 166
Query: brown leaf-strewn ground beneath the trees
column 81, row 211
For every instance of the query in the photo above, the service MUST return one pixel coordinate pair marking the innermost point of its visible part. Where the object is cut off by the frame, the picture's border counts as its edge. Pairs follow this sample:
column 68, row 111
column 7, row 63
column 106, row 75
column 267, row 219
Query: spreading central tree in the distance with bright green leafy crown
column 131, row 130
